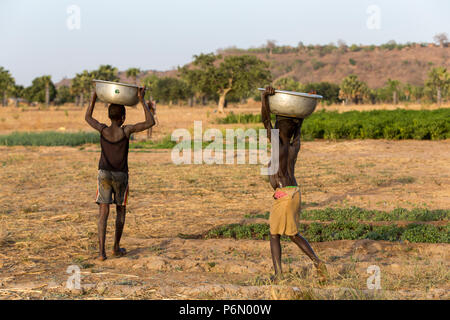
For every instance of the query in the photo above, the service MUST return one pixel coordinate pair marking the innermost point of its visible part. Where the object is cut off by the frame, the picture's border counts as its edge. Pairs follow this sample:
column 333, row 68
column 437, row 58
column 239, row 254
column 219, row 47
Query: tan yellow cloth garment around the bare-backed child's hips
column 285, row 212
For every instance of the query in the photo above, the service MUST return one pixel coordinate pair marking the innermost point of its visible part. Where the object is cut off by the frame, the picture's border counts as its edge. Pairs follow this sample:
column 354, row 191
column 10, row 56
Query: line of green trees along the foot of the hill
column 222, row 79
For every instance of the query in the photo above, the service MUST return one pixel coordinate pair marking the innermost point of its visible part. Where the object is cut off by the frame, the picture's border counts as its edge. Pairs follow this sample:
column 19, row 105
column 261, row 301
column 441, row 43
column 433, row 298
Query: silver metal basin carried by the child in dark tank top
column 116, row 92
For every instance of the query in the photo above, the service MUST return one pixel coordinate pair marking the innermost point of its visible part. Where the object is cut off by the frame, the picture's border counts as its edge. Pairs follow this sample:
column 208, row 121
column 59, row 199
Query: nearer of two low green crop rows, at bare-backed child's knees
column 341, row 230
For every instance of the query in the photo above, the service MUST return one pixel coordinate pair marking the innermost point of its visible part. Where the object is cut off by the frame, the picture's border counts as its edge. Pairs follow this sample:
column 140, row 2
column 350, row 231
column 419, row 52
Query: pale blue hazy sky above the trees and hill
column 40, row 37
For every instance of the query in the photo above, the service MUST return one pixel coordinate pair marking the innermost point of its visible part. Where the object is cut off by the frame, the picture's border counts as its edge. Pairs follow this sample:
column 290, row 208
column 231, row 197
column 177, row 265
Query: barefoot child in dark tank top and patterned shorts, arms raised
column 113, row 166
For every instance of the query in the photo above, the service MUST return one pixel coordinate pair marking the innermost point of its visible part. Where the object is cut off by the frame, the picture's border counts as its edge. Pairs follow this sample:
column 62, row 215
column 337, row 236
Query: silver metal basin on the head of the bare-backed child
column 292, row 104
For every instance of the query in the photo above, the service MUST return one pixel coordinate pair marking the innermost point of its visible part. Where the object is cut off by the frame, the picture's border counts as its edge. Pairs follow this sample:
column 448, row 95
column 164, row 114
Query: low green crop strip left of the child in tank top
column 49, row 138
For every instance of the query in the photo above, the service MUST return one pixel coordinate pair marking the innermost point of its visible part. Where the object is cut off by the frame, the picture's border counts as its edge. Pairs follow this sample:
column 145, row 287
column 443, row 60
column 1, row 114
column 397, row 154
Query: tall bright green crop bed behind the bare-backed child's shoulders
column 377, row 124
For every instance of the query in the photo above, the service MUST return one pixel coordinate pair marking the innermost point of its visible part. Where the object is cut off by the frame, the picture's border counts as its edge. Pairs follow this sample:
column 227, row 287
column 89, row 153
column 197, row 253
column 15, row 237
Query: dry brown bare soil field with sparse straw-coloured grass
column 48, row 219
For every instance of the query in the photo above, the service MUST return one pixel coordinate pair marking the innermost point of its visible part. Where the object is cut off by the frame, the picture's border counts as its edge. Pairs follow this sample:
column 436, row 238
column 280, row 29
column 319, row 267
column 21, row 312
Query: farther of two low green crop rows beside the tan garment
column 359, row 214
